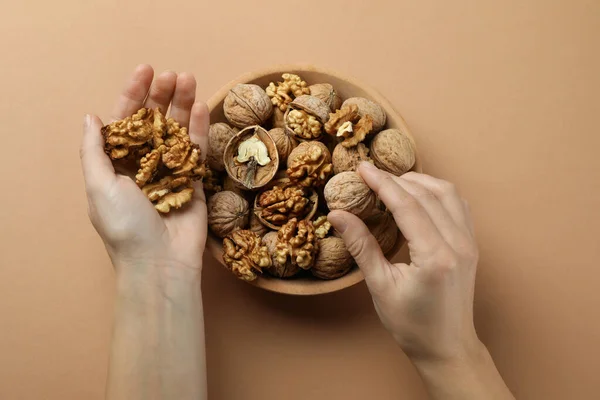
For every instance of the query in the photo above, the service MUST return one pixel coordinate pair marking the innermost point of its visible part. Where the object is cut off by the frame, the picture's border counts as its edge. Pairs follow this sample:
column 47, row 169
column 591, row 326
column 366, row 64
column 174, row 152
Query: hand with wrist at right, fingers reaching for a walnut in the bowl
column 427, row 305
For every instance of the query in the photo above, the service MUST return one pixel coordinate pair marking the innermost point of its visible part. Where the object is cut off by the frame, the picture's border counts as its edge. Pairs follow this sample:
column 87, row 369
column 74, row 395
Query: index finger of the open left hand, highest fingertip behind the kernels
column 134, row 94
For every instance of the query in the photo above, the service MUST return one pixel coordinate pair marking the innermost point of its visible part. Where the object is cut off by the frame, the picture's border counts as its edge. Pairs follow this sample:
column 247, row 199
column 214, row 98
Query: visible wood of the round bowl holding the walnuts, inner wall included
column 346, row 87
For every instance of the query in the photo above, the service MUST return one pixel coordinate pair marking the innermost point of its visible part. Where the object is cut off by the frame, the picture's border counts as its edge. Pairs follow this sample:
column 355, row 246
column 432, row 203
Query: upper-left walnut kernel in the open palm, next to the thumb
column 123, row 136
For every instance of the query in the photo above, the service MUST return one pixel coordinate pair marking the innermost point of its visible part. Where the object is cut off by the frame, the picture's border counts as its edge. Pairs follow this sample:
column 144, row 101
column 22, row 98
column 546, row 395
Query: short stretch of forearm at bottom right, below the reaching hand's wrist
column 474, row 377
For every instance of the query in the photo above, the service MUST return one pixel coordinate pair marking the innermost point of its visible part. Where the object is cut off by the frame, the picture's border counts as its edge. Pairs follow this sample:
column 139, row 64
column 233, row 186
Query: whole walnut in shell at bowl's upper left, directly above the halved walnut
column 247, row 104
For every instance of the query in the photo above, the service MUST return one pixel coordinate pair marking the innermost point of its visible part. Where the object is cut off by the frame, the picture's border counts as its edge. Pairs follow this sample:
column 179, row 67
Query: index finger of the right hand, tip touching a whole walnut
column 411, row 217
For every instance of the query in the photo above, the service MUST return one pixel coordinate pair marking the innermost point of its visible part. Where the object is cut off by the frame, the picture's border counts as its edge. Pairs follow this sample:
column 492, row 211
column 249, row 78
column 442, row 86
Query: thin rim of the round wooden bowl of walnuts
column 355, row 276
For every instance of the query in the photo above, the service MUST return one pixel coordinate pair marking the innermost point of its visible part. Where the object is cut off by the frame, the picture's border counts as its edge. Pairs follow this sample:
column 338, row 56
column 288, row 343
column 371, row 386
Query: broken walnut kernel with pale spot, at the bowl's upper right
column 346, row 123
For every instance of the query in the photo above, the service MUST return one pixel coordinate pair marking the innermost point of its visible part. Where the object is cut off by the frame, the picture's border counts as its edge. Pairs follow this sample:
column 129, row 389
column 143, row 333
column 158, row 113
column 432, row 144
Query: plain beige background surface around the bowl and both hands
column 502, row 97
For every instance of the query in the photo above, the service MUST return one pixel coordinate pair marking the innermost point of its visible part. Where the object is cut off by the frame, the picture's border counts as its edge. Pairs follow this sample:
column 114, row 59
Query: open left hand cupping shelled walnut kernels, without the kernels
column 133, row 232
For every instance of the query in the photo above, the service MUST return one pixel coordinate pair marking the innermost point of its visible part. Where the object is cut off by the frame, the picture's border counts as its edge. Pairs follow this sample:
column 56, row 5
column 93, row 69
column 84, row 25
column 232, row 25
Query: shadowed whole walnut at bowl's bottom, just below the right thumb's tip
column 333, row 260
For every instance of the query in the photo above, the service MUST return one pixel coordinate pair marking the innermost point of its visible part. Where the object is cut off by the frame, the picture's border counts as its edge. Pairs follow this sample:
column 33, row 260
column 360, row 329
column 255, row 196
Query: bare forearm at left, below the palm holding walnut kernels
column 158, row 340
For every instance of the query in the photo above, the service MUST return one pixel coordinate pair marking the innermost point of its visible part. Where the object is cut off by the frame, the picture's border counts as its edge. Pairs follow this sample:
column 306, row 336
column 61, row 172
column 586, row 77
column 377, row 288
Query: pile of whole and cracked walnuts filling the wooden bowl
column 284, row 157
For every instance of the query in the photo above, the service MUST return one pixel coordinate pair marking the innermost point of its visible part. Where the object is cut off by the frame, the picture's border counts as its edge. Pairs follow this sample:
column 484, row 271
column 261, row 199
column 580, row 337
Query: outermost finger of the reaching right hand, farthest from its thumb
column 446, row 193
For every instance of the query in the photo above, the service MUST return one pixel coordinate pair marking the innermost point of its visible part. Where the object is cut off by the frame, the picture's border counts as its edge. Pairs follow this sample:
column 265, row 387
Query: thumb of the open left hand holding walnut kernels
column 97, row 167
